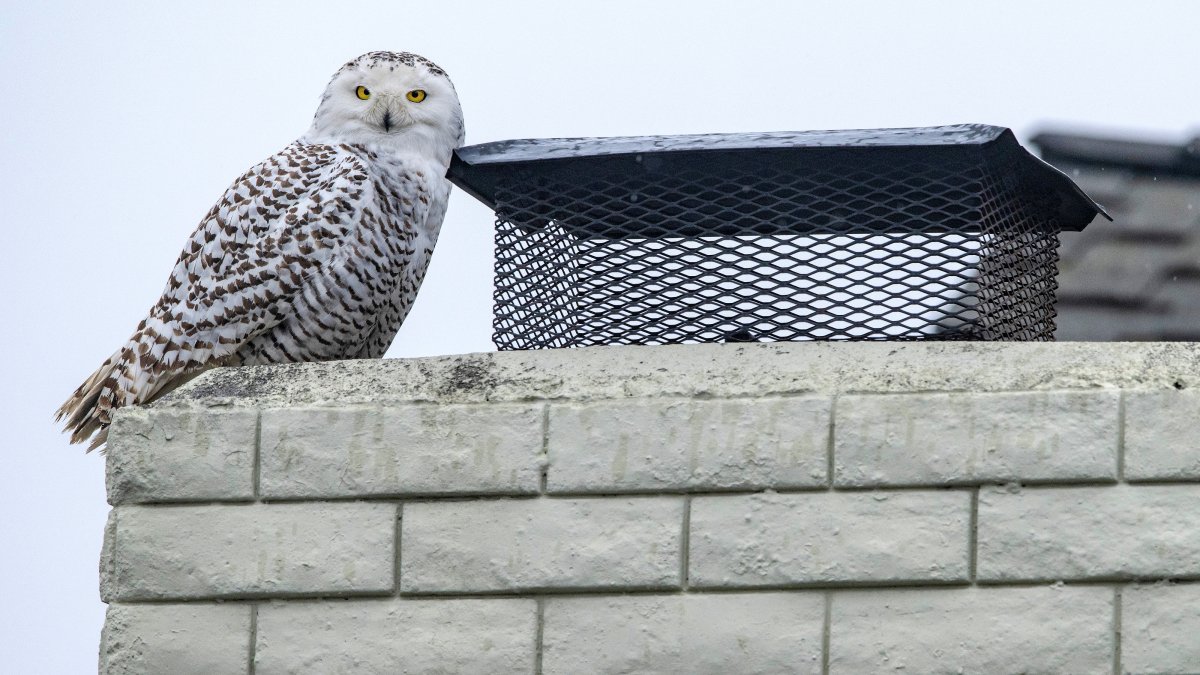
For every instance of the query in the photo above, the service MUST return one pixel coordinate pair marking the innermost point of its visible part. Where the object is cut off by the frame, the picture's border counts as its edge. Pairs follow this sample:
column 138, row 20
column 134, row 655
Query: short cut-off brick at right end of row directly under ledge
column 1161, row 441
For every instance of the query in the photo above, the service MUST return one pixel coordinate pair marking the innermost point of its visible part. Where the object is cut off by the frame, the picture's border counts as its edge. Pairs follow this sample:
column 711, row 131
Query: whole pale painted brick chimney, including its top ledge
column 741, row 509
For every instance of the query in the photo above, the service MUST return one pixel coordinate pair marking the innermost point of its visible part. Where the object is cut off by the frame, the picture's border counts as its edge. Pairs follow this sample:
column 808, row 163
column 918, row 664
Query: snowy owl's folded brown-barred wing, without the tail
column 279, row 228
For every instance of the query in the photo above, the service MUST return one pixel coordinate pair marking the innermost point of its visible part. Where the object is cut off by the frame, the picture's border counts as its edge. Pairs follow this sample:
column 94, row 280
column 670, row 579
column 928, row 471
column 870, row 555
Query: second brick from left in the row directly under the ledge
column 356, row 452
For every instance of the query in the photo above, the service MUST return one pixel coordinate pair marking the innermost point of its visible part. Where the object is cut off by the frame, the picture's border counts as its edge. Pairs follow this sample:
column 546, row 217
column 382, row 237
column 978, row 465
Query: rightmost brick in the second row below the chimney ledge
column 1120, row 531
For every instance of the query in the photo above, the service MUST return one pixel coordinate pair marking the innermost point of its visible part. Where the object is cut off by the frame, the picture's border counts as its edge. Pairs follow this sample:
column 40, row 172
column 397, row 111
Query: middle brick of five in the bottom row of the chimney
column 695, row 634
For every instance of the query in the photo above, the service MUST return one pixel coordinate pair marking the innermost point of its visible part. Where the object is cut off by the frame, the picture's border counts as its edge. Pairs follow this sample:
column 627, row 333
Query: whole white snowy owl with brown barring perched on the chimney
column 314, row 255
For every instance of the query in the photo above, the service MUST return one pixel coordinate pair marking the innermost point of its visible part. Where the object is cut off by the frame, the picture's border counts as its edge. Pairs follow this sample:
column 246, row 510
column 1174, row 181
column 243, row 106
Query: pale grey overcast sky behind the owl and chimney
column 127, row 121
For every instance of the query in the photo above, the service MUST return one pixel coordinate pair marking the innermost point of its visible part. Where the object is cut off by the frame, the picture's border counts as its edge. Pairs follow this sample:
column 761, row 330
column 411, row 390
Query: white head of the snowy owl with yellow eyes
column 395, row 100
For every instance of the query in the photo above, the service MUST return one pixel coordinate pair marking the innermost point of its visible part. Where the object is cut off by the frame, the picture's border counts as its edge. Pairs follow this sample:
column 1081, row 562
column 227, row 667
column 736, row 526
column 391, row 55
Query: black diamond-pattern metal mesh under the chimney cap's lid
column 862, row 247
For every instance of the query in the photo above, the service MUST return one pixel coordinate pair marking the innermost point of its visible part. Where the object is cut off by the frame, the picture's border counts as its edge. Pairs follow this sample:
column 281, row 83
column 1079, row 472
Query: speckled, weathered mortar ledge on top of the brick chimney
column 703, row 371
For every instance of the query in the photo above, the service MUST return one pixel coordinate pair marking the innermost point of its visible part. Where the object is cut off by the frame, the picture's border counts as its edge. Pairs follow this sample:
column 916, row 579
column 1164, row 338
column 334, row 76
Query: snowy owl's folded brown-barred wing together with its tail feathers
column 280, row 226
